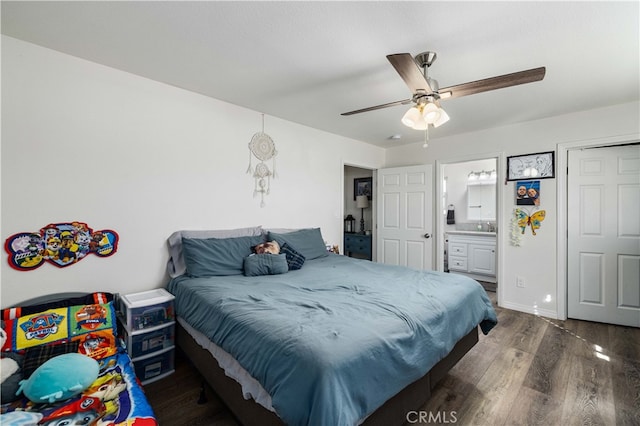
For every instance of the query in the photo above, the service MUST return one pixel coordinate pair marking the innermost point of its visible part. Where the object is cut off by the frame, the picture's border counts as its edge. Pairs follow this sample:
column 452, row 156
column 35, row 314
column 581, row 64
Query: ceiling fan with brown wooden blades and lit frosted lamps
column 427, row 95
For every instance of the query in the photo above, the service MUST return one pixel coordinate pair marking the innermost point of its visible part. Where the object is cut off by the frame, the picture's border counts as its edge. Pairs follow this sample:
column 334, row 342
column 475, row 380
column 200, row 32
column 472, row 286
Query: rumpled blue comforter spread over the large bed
column 333, row 341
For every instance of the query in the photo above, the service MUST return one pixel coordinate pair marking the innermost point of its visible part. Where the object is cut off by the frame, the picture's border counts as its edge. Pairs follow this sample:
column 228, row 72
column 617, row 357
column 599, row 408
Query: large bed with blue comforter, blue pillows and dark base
column 326, row 339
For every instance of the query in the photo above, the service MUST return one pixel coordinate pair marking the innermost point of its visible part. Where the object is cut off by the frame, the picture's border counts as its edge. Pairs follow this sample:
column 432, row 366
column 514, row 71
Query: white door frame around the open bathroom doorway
column 439, row 229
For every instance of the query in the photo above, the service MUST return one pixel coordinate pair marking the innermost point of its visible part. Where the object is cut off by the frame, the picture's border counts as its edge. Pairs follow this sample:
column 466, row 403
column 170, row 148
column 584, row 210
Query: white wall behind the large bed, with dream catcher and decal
column 85, row 142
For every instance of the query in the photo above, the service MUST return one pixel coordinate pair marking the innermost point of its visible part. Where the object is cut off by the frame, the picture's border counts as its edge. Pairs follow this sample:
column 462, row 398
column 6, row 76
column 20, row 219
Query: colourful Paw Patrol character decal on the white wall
column 61, row 244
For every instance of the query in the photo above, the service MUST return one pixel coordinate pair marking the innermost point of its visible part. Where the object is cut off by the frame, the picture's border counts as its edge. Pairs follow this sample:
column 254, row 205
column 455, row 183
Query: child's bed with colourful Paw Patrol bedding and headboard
column 80, row 326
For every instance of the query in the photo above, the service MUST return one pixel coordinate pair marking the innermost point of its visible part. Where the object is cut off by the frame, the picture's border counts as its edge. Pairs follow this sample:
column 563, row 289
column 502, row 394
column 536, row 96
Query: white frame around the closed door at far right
column 561, row 202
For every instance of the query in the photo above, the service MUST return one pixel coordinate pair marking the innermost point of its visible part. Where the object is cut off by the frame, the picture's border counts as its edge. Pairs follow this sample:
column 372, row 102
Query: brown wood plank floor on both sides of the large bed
column 529, row 370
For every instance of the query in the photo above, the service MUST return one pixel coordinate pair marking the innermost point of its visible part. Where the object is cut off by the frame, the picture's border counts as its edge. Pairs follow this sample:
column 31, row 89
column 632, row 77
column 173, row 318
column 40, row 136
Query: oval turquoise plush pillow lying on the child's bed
column 60, row 378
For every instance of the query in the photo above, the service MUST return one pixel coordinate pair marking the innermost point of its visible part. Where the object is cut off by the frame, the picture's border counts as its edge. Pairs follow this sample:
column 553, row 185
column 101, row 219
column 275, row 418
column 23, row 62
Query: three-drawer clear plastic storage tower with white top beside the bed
column 147, row 325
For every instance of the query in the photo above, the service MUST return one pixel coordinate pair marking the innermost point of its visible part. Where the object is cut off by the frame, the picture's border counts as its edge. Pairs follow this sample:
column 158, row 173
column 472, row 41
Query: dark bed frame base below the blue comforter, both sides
column 250, row 413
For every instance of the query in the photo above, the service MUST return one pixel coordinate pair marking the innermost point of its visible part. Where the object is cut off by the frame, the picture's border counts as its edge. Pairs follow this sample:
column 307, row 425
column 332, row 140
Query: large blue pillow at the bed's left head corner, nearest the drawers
column 217, row 256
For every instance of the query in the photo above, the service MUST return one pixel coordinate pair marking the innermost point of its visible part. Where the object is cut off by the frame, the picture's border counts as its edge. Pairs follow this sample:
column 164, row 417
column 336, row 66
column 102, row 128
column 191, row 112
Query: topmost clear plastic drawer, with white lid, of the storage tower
column 146, row 309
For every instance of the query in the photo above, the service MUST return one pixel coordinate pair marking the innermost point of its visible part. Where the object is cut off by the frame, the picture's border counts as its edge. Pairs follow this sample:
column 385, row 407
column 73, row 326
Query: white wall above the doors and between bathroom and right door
column 536, row 259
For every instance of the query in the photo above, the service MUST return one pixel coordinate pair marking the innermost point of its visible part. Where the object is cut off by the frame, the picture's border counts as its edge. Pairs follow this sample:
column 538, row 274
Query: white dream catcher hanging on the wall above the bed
column 263, row 148
